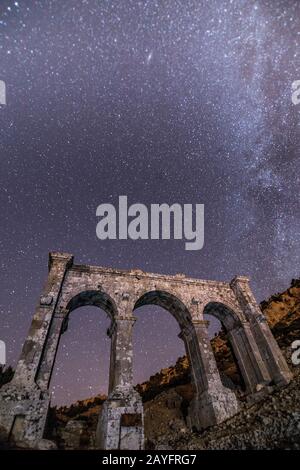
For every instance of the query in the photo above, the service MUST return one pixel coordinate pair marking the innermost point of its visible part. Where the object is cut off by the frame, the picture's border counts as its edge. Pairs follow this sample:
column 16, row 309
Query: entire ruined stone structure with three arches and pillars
column 24, row 402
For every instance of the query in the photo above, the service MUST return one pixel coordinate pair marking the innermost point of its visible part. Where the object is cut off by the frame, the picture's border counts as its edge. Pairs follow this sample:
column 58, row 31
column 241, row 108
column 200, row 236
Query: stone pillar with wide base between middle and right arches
column 213, row 402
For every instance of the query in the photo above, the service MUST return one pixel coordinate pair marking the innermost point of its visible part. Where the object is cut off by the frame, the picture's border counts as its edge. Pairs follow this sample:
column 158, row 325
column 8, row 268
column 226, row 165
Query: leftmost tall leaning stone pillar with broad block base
column 23, row 404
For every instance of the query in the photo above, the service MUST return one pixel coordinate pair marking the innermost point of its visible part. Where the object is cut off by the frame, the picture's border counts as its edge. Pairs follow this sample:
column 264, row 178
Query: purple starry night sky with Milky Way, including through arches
column 164, row 101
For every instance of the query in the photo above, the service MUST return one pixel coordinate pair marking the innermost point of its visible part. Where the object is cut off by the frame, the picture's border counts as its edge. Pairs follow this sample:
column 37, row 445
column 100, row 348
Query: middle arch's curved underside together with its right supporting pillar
column 212, row 401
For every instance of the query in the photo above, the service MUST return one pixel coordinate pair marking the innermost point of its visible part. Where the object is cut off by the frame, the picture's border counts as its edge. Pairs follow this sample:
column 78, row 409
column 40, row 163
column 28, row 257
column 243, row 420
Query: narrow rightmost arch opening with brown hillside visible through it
column 221, row 319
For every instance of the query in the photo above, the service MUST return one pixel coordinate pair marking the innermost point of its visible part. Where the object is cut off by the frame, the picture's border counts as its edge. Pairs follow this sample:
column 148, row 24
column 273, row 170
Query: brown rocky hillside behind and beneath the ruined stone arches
column 272, row 423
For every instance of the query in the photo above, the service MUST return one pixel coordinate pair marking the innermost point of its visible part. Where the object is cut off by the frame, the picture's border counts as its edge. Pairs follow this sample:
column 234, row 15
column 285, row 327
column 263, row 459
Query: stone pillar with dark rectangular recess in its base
column 121, row 422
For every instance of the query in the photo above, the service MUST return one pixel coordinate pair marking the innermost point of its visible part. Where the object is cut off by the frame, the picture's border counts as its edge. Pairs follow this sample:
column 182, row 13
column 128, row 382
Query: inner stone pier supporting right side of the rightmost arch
column 251, row 364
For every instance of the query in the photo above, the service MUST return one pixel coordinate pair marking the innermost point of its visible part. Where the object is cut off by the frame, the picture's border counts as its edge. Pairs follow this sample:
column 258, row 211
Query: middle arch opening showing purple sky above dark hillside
column 160, row 358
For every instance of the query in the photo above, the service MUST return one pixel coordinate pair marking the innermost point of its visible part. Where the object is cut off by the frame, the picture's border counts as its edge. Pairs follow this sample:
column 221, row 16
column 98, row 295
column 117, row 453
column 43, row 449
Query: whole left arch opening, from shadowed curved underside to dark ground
column 80, row 373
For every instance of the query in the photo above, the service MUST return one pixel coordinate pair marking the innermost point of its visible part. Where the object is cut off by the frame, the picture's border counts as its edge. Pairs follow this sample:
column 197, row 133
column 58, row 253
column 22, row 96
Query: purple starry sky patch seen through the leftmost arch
column 81, row 368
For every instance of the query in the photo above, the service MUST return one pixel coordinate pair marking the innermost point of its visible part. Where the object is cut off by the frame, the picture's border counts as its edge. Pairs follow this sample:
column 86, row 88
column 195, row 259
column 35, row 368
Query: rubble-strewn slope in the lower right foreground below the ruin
column 273, row 423
